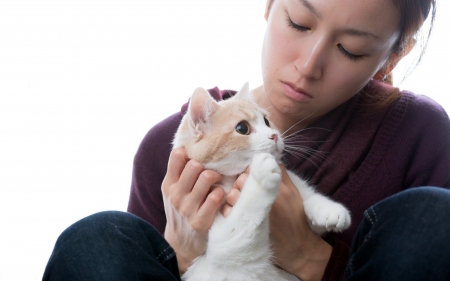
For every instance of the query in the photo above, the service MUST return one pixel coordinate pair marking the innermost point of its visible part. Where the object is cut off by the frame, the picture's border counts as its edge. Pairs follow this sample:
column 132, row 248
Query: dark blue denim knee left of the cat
column 111, row 245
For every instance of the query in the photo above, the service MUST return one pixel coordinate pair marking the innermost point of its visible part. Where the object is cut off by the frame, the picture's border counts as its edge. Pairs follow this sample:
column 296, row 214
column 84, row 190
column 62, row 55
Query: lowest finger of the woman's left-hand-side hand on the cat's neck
column 207, row 211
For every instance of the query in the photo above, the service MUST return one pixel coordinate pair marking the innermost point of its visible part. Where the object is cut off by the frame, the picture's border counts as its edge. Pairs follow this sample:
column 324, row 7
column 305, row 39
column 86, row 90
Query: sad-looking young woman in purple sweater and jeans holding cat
column 369, row 146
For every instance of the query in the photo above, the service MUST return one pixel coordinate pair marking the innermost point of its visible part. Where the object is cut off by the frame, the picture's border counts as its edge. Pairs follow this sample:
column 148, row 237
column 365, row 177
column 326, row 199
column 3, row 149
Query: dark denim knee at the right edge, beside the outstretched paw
column 404, row 237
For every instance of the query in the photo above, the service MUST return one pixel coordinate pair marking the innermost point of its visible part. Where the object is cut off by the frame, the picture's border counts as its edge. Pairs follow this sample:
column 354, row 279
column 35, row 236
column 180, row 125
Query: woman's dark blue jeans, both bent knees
column 404, row 237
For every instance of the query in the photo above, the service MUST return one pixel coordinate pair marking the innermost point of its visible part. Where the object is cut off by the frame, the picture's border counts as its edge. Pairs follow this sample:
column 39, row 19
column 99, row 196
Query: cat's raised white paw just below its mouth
column 265, row 170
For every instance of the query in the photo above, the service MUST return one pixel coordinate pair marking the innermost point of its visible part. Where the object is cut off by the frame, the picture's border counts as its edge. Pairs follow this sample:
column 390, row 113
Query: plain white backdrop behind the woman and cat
column 81, row 82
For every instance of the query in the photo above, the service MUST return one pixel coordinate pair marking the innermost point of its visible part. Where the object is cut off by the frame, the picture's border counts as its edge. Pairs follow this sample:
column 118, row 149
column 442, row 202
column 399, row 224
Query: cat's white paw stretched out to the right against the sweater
column 327, row 215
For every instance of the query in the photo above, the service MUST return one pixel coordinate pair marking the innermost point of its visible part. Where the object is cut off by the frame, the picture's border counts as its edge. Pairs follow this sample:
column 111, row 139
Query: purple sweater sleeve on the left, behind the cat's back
column 149, row 169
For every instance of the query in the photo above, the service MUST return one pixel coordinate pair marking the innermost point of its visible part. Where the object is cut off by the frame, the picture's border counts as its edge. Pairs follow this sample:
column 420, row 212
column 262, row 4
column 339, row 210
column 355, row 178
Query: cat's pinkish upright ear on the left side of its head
column 201, row 106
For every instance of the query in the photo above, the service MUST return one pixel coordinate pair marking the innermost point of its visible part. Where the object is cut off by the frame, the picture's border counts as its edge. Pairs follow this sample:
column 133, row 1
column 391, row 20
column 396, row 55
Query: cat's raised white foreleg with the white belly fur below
column 239, row 245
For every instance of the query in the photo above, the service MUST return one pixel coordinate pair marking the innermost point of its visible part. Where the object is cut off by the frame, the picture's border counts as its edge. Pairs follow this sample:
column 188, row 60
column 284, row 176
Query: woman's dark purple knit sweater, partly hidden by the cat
column 358, row 159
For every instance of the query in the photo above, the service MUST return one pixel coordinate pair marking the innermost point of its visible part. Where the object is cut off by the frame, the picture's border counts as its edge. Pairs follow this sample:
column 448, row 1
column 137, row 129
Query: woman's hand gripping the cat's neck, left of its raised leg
column 190, row 202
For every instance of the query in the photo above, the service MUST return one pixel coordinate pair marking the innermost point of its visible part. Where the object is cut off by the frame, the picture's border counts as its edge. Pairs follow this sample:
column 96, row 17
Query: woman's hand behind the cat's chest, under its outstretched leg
column 297, row 249
